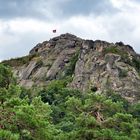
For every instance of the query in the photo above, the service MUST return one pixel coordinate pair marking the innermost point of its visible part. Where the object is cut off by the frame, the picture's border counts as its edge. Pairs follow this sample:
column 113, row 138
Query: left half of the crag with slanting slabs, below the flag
column 54, row 56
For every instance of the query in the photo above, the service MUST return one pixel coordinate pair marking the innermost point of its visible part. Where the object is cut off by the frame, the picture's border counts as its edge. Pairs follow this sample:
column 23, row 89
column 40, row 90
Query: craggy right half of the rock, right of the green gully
column 102, row 71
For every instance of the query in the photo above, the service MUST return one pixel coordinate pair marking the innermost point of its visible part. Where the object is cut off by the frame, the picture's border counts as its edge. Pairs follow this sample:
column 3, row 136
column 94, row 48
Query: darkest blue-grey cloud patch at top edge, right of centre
column 85, row 7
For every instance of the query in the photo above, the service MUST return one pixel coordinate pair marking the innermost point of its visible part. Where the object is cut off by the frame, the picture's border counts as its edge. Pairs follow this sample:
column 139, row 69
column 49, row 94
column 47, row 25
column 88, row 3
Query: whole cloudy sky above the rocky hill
column 24, row 23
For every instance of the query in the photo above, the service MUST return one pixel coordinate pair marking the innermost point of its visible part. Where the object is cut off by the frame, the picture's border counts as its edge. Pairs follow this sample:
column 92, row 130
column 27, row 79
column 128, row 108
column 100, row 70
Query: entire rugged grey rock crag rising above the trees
column 92, row 65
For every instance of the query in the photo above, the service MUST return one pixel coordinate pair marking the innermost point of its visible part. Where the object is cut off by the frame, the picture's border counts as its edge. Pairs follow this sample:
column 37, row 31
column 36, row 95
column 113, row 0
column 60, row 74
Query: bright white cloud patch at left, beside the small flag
column 21, row 25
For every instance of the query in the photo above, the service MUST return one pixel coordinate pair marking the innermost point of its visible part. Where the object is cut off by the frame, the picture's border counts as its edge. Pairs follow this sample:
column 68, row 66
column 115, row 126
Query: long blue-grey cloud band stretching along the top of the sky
column 45, row 9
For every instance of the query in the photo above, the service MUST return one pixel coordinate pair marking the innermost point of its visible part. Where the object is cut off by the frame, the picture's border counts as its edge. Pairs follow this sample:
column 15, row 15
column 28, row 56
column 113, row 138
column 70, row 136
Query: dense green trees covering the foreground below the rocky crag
column 56, row 112
